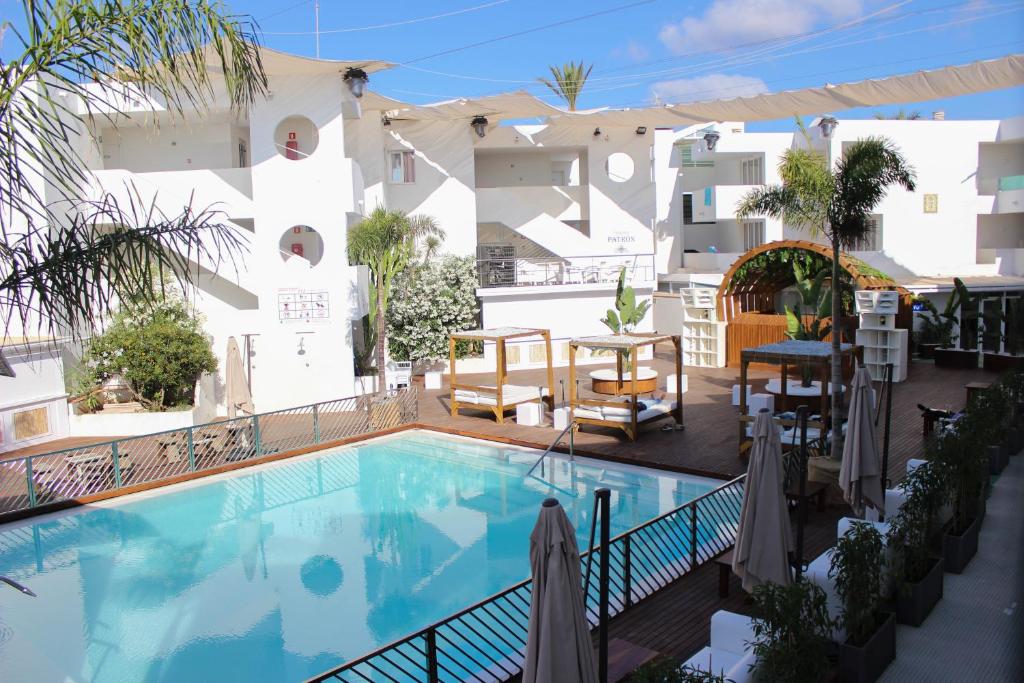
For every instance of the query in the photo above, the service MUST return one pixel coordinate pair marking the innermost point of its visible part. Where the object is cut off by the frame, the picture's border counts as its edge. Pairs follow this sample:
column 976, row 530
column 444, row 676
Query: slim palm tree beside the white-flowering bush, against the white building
column 387, row 242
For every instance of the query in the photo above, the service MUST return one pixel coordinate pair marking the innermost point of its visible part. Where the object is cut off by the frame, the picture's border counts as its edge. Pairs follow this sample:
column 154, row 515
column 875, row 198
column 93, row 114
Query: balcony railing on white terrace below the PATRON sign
column 565, row 271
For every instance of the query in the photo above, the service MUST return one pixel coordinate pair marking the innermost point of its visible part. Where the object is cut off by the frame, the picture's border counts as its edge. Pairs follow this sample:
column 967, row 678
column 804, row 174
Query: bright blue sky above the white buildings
column 654, row 50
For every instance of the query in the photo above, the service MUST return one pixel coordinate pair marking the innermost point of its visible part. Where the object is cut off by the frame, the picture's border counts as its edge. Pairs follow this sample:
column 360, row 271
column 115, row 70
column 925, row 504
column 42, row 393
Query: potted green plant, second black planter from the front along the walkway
column 917, row 571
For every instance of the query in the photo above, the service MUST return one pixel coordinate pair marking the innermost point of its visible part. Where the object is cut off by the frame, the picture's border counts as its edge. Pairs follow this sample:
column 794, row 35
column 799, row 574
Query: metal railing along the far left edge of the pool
column 99, row 468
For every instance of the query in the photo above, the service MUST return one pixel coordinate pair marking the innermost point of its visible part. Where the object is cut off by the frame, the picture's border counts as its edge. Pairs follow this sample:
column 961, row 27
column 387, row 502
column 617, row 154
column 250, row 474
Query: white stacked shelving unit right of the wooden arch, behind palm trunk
column 878, row 334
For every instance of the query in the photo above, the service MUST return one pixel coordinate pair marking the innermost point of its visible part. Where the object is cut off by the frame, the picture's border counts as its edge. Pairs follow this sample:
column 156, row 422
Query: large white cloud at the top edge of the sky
column 731, row 23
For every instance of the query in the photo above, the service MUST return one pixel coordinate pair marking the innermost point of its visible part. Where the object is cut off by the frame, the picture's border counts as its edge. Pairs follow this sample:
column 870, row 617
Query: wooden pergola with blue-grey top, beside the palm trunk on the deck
column 817, row 355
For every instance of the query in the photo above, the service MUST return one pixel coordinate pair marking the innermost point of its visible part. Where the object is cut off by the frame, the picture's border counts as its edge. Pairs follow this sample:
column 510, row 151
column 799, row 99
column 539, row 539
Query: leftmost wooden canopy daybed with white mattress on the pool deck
column 502, row 397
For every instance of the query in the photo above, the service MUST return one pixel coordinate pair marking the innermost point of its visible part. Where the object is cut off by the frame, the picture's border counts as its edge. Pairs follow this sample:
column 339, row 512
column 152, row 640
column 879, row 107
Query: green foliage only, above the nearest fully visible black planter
column 858, row 566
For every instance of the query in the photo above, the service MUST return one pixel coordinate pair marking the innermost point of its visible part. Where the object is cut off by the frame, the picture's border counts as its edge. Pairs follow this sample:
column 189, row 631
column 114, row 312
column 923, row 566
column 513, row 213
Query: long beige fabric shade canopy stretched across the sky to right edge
column 921, row 87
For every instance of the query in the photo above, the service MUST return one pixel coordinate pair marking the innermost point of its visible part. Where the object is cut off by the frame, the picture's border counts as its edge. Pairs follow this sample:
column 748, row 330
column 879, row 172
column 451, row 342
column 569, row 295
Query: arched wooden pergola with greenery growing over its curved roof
column 749, row 307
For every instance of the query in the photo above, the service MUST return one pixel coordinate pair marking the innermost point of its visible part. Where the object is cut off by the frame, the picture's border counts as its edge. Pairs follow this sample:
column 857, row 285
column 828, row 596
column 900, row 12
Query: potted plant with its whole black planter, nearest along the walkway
column 858, row 568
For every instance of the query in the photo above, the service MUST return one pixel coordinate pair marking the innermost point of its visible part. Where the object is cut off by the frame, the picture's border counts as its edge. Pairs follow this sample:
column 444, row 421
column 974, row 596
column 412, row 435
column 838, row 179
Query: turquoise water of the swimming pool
column 283, row 572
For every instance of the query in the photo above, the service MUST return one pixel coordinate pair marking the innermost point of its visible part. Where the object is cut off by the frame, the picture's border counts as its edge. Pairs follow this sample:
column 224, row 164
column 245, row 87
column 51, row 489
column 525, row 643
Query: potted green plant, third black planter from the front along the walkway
column 966, row 466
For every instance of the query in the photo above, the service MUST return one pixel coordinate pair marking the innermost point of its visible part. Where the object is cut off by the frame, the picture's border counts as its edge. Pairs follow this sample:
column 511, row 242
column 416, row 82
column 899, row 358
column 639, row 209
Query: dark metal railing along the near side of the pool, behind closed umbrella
column 487, row 642
